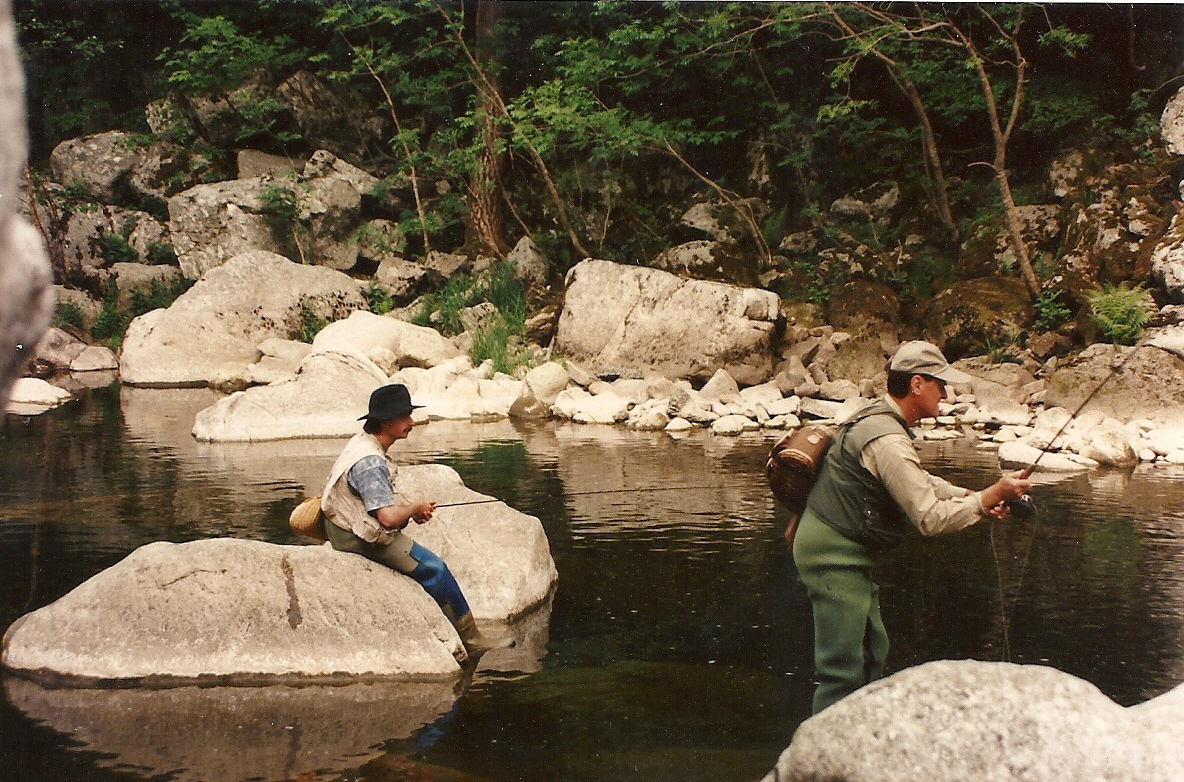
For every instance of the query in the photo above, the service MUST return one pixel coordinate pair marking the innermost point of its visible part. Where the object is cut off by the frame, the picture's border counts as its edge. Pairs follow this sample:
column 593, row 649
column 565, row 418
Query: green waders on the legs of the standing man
column 851, row 643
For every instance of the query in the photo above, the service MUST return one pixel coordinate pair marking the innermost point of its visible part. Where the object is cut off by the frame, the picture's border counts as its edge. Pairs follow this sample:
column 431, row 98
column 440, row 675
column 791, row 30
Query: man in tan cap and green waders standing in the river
column 870, row 488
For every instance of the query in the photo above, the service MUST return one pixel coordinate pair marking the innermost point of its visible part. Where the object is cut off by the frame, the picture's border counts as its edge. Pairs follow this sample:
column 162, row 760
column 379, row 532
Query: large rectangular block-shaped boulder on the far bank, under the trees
column 634, row 322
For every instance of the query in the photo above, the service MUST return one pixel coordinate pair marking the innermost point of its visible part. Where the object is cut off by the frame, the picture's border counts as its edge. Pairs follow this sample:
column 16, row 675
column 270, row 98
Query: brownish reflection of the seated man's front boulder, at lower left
column 234, row 734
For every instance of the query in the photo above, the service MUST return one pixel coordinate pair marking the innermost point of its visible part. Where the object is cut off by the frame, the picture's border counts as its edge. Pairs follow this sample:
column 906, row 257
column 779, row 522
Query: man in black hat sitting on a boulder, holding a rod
column 365, row 516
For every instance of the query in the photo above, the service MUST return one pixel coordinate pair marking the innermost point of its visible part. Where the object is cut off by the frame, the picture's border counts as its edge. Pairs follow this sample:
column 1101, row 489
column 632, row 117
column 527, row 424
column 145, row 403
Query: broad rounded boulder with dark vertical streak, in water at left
column 224, row 610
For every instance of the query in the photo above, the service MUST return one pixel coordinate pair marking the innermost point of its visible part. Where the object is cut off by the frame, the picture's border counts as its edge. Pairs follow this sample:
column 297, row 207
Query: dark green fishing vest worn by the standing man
column 847, row 497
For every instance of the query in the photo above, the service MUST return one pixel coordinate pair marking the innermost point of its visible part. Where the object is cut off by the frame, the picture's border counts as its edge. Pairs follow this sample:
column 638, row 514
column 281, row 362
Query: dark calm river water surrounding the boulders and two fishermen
column 678, row 645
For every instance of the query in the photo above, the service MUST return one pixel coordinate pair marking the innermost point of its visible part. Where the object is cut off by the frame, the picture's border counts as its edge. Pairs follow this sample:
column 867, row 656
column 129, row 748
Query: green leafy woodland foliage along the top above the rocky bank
column 619, row 113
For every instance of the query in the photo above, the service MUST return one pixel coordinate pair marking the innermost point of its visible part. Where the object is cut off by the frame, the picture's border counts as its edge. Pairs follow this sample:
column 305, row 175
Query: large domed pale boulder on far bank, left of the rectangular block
column 221, row 322
